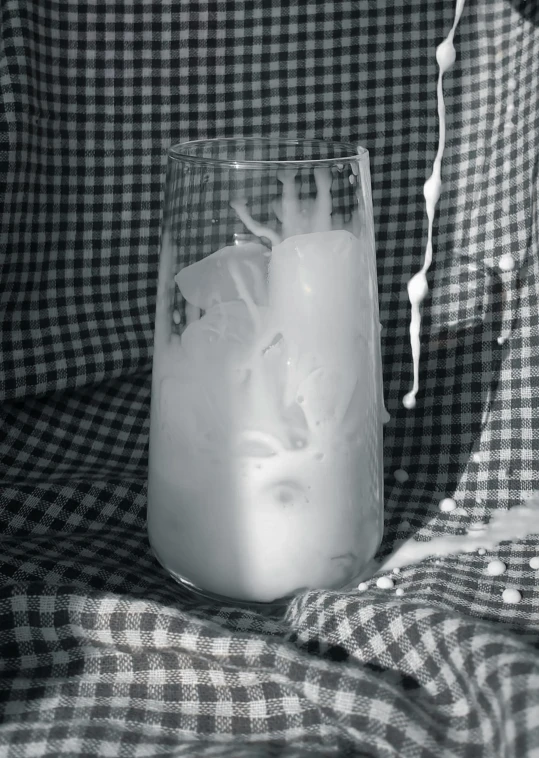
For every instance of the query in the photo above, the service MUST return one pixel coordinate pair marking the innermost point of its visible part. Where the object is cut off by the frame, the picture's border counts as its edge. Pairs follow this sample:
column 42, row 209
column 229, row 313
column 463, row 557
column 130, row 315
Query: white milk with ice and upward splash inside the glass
column 265, row 449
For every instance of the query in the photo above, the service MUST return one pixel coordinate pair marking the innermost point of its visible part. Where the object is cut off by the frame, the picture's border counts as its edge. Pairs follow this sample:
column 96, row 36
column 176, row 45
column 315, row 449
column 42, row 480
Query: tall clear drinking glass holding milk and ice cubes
column 265, row 471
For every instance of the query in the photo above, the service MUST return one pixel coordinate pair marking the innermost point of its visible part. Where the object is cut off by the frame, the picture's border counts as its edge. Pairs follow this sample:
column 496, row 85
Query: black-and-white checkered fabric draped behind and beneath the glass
column 101, row 652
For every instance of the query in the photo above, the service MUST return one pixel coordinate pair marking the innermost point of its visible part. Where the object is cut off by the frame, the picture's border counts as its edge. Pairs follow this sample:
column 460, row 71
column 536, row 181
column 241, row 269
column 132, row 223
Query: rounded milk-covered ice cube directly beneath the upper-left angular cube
column 225, row 332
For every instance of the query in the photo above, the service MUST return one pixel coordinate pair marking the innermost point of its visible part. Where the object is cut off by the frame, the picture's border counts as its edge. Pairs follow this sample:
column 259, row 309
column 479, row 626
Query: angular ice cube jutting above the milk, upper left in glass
column 211, row 281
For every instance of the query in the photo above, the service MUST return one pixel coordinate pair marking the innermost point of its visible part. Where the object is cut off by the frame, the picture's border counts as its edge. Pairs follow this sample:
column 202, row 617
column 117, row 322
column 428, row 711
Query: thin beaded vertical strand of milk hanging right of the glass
column 417, row 286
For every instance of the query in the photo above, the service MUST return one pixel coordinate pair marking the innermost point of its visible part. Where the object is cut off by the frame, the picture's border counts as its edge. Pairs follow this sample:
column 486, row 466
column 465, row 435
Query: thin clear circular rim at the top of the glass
column 176, row 153
